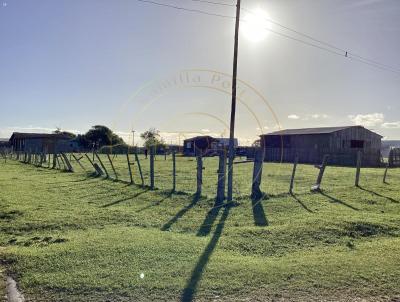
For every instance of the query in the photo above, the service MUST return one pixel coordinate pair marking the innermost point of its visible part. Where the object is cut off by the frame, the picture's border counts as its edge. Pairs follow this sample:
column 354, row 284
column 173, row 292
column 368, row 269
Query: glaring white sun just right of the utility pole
column 256, row 25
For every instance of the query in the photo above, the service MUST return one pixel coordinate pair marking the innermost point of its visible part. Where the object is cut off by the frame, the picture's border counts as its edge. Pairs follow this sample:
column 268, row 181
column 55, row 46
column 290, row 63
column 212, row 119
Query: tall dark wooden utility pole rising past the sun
column 233, row 107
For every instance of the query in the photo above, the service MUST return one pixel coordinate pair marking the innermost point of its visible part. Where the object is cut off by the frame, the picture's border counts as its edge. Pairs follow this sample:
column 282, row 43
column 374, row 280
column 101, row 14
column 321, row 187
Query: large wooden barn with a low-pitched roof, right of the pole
column 311, row 144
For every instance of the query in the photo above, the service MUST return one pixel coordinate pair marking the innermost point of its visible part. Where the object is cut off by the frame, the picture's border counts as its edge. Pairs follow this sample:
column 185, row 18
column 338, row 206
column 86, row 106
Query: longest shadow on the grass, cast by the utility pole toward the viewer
column 191, row 285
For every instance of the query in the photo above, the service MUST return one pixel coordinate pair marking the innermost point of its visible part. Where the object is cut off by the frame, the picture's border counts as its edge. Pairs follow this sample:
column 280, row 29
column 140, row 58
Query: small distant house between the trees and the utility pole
column 205, row 145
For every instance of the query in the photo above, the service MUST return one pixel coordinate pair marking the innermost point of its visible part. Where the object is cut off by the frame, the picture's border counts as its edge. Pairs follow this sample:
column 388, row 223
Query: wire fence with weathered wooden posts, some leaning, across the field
column 275, row 178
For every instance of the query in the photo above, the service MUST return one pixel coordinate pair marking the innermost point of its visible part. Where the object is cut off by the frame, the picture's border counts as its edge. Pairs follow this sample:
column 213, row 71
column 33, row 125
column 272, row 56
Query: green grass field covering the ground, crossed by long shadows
column 71, row 237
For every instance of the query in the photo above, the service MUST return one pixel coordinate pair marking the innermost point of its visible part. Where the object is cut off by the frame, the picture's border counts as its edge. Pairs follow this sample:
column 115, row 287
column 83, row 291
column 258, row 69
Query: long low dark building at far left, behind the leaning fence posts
column 42, row 143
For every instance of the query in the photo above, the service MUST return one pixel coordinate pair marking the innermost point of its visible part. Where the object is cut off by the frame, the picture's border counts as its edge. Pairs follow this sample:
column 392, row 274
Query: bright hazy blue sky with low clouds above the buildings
column 74, row 64
